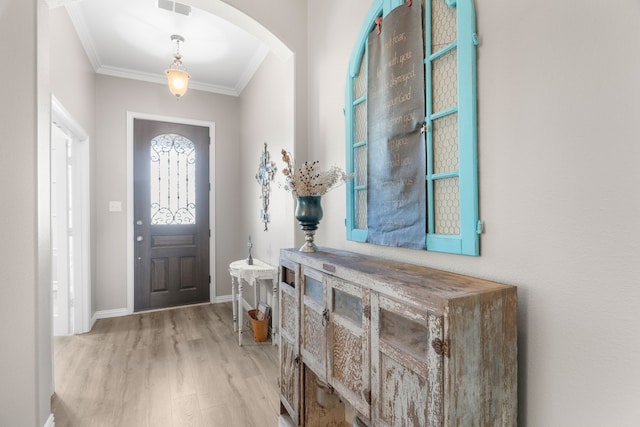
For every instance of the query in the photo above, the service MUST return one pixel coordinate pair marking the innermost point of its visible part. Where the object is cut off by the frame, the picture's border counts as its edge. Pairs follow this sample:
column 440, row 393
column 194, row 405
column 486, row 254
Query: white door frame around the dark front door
column 131, row 115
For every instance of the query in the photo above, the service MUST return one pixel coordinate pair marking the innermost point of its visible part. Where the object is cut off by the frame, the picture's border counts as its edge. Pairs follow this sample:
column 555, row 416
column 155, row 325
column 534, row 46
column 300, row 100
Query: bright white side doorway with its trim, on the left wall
column 70, row 224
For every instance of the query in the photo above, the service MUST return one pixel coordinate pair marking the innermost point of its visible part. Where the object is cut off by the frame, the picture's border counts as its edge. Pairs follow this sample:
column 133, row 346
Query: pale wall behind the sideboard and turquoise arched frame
column 558, row 153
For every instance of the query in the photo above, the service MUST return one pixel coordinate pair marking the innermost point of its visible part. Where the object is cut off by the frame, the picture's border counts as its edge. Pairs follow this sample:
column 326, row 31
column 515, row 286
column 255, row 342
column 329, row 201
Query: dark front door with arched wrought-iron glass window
column 171, row 214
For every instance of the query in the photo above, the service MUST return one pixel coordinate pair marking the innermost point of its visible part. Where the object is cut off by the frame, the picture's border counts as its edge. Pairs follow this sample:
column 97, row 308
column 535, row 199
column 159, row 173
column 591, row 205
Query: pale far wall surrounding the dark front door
column 114, row 98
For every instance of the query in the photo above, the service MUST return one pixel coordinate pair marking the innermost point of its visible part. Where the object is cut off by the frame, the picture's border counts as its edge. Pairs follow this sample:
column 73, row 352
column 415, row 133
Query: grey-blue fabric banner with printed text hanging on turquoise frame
column 396, row 209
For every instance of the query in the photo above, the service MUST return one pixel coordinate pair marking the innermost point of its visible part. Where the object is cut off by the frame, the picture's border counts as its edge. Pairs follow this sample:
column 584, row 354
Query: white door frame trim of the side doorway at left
column 82, row 213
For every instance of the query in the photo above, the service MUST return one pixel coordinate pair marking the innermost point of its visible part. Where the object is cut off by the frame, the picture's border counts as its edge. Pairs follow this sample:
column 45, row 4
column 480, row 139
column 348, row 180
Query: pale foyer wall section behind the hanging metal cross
column 267, row 116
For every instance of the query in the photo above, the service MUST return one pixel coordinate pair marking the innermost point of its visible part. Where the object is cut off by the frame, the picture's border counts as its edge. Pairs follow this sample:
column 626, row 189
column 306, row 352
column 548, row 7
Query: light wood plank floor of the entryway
column 172, row 368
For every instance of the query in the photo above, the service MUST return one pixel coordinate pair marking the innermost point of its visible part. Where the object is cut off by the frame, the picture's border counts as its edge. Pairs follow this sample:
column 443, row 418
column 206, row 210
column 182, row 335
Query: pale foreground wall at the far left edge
column 25, row 323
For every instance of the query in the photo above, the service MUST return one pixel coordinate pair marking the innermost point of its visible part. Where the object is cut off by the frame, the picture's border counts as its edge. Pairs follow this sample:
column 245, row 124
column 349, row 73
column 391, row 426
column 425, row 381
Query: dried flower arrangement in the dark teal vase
column 308, row 180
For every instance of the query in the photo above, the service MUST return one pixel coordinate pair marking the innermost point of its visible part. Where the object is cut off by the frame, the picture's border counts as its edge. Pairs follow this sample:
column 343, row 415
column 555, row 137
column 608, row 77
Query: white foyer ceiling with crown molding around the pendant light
column 132, row 39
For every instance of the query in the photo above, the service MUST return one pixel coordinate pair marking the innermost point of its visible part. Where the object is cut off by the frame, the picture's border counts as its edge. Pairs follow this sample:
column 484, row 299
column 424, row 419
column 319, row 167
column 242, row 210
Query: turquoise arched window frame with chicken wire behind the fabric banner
column 451, row 182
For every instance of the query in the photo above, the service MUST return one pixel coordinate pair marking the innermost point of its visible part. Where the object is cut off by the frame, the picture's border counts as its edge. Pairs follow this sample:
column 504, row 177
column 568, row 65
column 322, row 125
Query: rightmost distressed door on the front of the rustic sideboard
column 407, row 372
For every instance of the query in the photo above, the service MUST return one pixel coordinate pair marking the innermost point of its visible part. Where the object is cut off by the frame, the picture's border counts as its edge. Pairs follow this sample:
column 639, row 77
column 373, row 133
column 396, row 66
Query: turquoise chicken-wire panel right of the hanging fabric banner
column 451, row 180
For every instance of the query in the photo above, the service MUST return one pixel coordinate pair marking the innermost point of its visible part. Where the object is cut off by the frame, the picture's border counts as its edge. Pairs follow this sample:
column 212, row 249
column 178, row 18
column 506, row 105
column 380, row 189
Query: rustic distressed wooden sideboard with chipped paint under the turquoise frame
column 393, row 344
